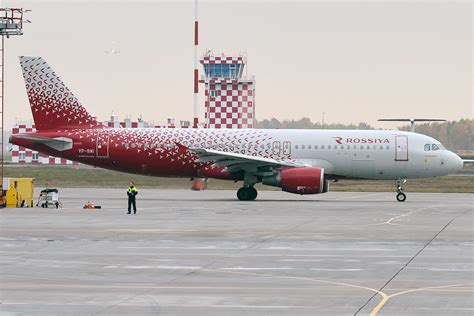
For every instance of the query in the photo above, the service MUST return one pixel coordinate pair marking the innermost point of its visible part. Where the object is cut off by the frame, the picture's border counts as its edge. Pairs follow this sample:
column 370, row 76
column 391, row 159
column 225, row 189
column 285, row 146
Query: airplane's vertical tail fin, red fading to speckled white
column 52, row 104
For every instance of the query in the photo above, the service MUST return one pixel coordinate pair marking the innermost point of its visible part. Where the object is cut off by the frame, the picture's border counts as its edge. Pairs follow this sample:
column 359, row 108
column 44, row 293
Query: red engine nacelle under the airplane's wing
column 309, row 180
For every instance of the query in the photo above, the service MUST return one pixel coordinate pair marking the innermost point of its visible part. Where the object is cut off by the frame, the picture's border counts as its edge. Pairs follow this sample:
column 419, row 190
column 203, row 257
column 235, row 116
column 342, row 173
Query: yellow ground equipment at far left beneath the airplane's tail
column 20, row 192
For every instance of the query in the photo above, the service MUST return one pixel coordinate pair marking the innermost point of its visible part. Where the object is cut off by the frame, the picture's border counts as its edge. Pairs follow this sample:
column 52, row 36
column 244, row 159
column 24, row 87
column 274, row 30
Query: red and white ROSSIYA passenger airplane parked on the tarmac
column 297, row 161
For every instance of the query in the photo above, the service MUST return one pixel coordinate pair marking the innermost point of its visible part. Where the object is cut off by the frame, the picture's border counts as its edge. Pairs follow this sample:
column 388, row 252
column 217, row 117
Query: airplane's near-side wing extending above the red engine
column 236, row 162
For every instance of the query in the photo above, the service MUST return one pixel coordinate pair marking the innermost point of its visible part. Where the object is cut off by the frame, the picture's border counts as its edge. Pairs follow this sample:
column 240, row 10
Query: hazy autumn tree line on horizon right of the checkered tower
column 455, row 135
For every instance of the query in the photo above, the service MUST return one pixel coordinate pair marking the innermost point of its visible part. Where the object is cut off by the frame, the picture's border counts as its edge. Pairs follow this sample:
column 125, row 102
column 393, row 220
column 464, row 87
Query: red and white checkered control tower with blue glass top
column 229, row 95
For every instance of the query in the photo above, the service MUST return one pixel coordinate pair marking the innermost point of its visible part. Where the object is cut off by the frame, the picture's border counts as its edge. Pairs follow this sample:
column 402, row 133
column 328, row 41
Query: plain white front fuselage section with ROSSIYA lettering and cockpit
column 369, row 154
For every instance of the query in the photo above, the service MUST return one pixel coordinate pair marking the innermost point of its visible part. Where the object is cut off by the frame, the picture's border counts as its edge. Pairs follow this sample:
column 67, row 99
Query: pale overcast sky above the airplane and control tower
column 354, row 60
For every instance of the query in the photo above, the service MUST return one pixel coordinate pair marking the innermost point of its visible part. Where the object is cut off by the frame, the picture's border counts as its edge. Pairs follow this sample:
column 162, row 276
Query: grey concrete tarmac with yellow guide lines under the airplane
column 206, row 253
